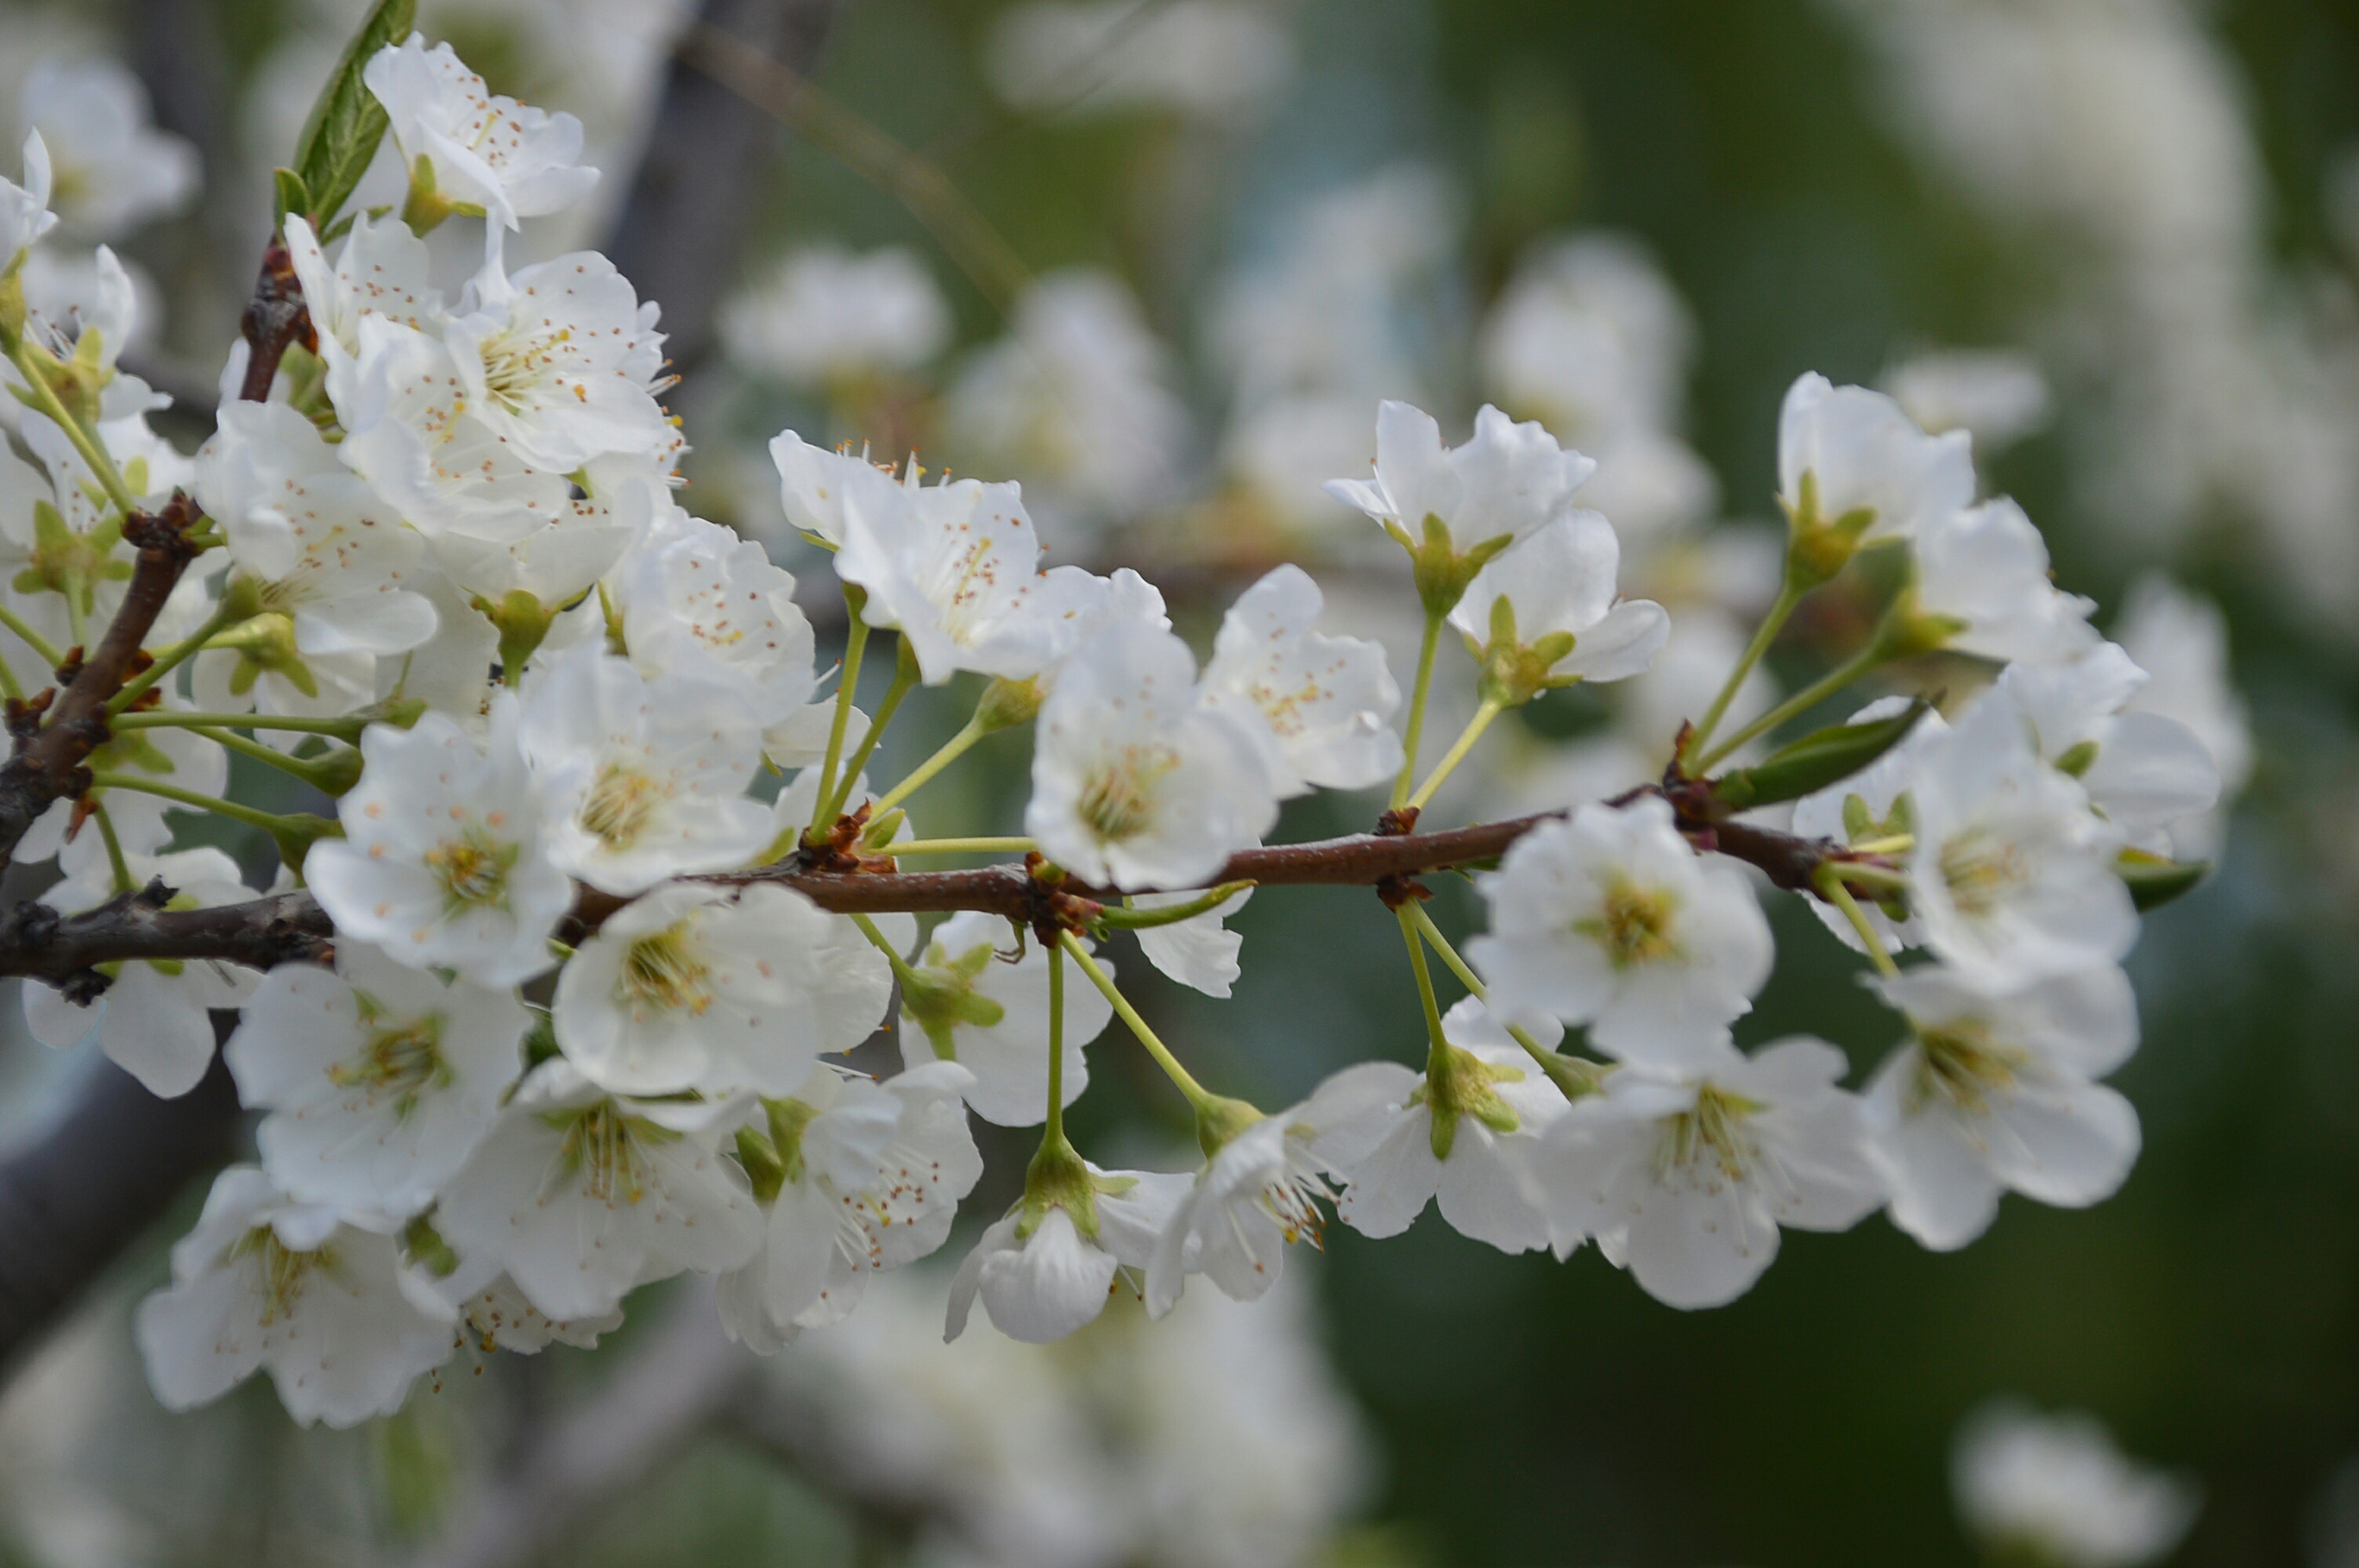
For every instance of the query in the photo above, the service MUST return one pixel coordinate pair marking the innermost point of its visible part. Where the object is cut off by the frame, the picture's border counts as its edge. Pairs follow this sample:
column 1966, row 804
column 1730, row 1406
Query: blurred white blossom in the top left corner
column 114, row 171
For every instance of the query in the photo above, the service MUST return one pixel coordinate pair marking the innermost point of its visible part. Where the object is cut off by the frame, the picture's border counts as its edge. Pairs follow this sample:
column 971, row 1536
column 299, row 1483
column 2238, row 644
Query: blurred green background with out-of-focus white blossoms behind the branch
column 1188, row 246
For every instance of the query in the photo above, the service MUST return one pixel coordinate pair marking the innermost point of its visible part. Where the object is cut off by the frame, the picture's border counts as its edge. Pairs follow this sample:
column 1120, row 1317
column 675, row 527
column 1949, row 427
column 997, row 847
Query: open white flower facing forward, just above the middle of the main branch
column 1133, row 782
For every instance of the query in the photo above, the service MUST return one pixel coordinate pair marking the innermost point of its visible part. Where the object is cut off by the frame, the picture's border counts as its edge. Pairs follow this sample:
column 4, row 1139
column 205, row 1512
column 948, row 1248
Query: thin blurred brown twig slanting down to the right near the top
column 916, row 183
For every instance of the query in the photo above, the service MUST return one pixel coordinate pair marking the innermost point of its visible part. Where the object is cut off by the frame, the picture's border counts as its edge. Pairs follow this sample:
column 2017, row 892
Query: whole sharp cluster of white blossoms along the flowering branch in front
column 593, row 975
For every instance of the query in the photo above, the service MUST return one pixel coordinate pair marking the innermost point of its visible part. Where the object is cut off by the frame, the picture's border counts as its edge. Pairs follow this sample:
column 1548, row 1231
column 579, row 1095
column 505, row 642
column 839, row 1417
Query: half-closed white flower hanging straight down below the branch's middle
column 1051, row 1277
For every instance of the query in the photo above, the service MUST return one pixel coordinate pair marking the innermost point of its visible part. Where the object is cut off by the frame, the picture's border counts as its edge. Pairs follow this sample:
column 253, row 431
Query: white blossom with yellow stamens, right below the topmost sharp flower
column 560, row 362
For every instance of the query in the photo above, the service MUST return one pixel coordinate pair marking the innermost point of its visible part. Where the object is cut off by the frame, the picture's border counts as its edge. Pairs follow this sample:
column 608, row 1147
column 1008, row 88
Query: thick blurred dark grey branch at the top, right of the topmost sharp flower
column 704, row 169
